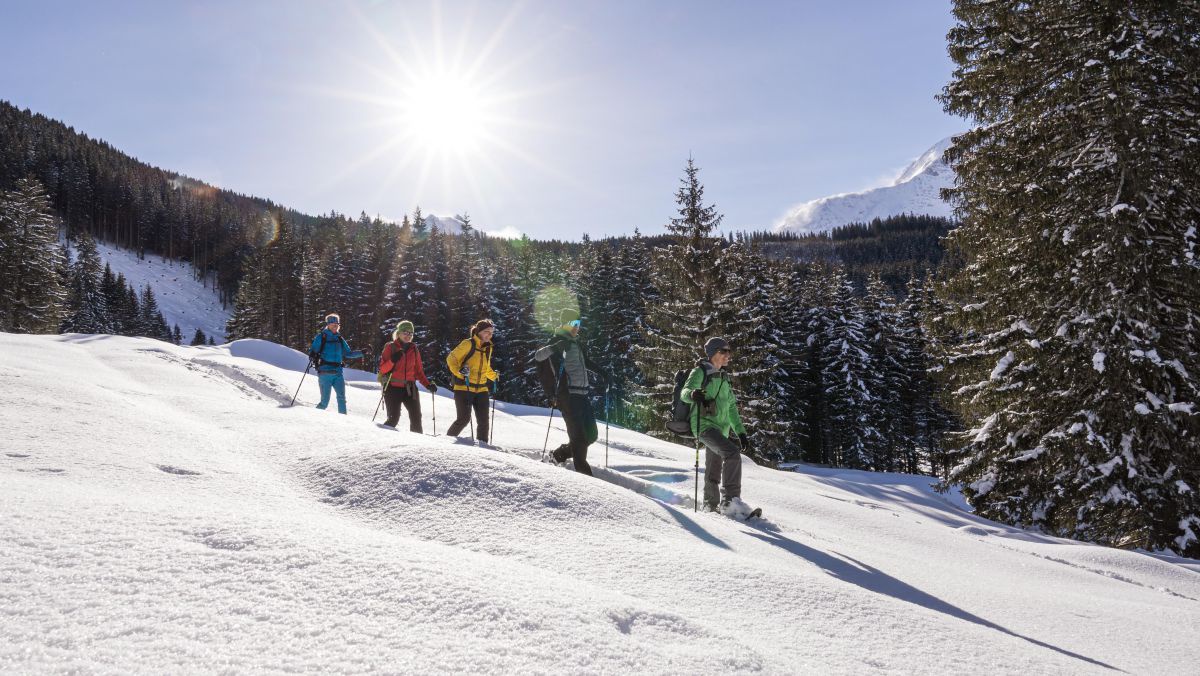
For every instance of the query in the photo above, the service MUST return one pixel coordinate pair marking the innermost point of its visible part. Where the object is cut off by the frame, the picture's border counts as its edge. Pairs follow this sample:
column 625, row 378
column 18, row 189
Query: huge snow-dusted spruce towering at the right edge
column 1079, row 199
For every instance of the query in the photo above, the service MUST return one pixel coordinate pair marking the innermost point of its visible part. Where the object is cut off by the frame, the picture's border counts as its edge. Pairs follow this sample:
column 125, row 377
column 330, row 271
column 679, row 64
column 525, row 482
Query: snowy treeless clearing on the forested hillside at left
column 183, row 300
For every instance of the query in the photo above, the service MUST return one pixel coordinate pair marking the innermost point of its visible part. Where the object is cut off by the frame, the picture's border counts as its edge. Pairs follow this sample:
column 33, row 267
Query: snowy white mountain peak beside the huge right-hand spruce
column 916, row 192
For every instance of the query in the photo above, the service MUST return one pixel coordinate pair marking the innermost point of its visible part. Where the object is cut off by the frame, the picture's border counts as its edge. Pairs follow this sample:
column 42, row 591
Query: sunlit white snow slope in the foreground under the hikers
column 163, row 510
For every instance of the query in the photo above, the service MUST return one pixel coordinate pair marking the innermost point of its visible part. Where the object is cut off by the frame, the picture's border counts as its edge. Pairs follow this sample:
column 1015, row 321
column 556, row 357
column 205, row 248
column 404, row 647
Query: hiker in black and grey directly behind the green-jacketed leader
column 563, row 369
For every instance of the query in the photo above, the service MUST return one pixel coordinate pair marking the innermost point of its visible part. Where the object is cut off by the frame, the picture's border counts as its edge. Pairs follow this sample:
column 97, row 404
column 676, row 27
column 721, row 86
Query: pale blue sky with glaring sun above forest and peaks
column 561, row 118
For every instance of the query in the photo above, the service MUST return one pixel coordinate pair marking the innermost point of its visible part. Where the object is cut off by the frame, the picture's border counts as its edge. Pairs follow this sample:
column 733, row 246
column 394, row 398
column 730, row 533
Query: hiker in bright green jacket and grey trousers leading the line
column 718, row 426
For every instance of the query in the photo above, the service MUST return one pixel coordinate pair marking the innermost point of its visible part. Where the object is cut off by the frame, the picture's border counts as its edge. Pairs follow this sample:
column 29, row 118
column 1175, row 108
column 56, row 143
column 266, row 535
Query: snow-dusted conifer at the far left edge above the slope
column 34, row 300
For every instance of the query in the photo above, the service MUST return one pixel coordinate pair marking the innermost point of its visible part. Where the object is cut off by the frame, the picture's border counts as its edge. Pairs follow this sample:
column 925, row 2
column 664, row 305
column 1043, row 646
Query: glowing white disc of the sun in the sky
column 445, row 113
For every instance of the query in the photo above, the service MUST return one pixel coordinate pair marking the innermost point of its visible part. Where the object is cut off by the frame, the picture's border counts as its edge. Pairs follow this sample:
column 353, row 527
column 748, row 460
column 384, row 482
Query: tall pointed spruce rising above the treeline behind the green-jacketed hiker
column 688, row 280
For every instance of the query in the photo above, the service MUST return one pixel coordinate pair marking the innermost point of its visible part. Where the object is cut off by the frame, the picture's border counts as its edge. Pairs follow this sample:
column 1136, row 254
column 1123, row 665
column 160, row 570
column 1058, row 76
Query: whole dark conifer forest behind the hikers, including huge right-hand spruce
column 1041, row 351
